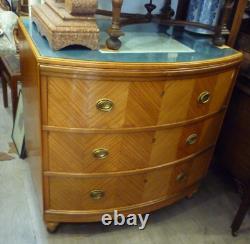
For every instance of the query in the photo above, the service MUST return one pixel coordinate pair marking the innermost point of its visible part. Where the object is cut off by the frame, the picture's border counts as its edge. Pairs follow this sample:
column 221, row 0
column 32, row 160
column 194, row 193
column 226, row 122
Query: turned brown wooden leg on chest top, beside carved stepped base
column 114, row 31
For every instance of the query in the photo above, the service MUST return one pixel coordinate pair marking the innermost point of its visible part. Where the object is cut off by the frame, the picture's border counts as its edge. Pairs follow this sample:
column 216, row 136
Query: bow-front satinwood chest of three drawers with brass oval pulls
column 126, row 132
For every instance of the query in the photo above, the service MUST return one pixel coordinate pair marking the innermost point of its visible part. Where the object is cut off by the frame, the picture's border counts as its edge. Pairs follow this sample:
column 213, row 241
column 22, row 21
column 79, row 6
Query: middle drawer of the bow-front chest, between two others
column 87, row 153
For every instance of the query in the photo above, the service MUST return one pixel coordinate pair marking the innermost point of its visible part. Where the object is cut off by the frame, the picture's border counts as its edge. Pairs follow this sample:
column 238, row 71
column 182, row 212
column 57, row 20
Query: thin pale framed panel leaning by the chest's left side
column 18, row 133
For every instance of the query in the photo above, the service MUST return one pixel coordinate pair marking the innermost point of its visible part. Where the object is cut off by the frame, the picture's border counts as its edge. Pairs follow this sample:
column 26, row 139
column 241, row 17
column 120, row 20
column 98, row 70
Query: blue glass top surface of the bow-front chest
column 186, row 46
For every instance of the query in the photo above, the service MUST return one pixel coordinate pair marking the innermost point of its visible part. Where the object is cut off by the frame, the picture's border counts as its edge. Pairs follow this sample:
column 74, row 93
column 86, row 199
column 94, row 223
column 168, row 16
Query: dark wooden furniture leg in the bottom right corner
column 244, row 207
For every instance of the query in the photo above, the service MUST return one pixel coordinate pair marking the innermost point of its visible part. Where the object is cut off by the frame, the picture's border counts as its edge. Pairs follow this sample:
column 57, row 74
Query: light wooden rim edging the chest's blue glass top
column 234, row 58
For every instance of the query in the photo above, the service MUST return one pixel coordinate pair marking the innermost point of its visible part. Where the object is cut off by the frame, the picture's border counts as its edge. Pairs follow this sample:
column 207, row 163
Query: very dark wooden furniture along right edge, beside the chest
column 233, row 150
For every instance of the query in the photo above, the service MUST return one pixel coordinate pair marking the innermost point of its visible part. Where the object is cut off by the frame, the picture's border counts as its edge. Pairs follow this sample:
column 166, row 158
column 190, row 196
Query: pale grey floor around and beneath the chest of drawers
column 204, row 219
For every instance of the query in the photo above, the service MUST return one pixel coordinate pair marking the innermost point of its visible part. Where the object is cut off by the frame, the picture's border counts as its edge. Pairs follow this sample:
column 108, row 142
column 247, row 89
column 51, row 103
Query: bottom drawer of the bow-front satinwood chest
column 93, row 193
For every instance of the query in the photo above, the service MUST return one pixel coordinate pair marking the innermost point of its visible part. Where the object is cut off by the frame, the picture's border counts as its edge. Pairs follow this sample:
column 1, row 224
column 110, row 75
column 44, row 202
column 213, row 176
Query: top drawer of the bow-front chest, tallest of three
column 122, row 104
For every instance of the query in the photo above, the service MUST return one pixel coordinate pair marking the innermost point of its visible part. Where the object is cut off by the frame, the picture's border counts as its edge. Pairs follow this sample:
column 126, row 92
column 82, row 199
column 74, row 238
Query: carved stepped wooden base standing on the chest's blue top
column 69, row 22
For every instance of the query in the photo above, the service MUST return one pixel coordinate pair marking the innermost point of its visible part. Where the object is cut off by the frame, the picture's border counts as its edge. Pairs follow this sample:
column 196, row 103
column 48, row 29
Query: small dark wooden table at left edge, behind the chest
column 10, row 75
